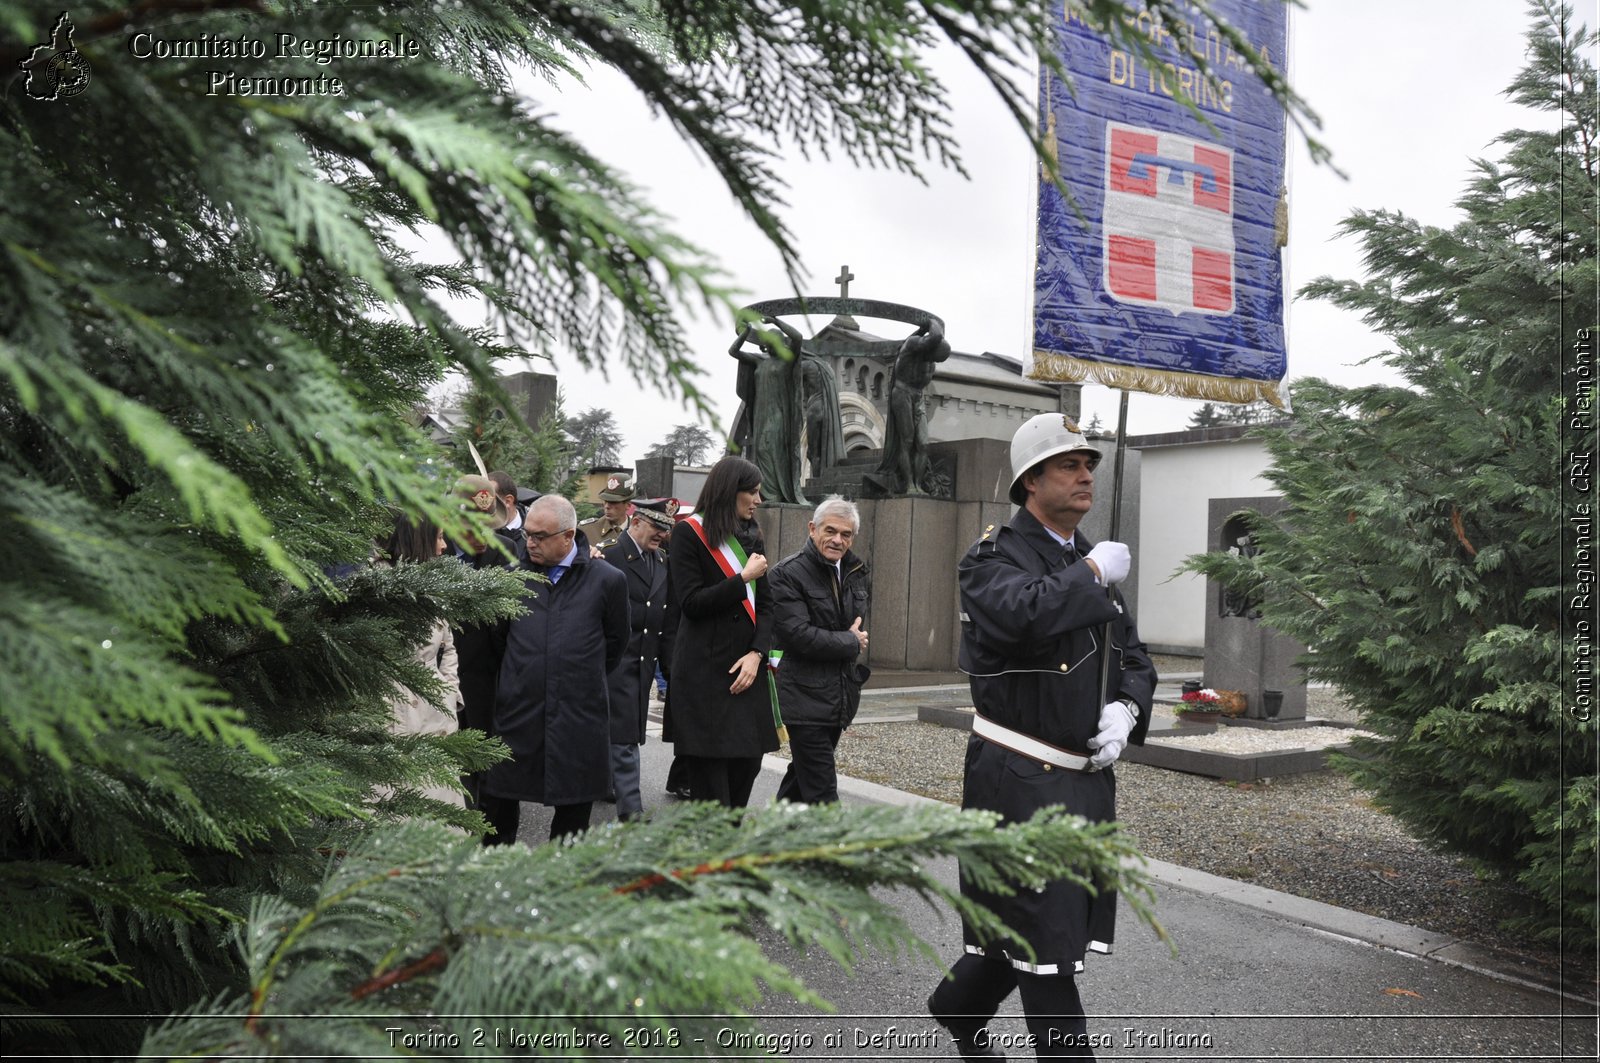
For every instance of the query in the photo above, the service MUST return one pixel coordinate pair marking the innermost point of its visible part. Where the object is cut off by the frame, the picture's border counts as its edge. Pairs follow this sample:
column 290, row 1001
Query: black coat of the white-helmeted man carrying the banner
column 1031, row 640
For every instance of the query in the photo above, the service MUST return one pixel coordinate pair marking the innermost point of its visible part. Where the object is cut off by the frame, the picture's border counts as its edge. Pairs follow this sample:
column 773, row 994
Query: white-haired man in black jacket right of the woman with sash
column 820, row 606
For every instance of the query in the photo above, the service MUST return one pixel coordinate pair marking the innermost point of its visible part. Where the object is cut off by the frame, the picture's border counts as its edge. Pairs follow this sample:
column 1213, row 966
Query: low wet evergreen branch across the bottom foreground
column 599, row 936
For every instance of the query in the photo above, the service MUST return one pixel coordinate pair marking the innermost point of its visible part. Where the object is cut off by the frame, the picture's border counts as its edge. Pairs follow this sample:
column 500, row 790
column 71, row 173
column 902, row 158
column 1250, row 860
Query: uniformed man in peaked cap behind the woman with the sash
column 652, row 617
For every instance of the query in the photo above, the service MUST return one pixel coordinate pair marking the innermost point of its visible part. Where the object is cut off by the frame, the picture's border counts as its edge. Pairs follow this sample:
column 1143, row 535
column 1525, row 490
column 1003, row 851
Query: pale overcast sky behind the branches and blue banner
column 1409, row 92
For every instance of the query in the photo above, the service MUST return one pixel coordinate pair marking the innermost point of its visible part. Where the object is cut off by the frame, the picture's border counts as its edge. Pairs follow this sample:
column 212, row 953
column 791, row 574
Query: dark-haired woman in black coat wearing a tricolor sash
column 722, row 713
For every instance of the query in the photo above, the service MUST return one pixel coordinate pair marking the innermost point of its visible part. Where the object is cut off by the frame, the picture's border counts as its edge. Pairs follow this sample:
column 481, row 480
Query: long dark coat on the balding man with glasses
column 553, row 707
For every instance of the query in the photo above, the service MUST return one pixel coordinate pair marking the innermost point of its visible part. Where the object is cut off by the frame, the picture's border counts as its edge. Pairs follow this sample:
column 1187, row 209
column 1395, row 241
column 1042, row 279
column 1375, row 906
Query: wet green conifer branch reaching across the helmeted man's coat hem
column 406, row 886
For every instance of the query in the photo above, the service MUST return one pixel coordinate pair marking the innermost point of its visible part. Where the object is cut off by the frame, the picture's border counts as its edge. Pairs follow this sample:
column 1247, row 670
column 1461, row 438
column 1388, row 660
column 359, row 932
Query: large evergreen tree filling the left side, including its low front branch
column 210, row 340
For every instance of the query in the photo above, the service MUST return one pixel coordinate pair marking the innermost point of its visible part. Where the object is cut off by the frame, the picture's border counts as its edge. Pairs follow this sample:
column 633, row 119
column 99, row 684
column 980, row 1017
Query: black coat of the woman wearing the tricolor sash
column 714, row 632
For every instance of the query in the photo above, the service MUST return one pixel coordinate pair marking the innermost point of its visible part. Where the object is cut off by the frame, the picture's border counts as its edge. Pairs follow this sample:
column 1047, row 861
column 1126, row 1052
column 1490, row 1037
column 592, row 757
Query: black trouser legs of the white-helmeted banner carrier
column 974, row 993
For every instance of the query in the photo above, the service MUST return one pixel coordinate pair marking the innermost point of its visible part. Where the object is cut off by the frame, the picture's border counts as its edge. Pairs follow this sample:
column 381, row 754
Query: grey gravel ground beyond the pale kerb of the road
column 1306, row 835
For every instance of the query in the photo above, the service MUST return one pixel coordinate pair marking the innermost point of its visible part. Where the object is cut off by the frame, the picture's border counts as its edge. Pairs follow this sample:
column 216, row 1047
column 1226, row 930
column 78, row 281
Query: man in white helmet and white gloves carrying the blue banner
column 1038, row 601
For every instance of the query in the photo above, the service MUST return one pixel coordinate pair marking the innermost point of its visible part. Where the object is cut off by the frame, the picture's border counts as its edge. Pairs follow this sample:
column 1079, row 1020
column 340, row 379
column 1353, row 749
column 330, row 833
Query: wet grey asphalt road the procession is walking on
column 1258, row 976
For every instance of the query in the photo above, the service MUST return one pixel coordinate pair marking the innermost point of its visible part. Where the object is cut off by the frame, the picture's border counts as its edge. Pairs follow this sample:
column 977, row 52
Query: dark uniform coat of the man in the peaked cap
column 652, row 608
